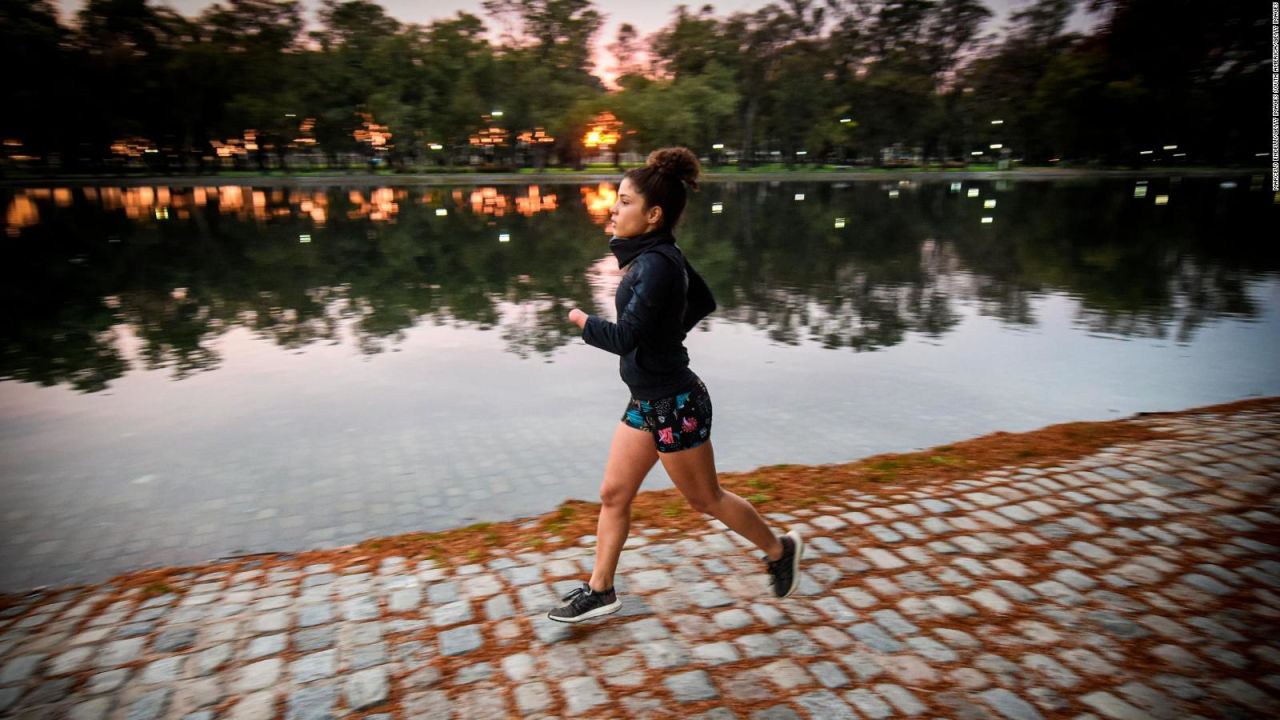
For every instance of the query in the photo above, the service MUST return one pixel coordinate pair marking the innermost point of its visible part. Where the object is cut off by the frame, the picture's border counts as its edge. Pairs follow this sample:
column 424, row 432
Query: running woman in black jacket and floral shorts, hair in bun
column 669, row 417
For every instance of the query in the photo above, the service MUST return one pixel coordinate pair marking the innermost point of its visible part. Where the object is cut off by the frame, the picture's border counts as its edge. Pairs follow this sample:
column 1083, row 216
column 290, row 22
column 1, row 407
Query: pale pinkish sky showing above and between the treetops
column 647, row 16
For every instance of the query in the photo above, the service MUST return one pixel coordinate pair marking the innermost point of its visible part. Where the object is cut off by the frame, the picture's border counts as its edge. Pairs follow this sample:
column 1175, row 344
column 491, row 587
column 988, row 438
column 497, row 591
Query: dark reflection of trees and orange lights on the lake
column 844, row 266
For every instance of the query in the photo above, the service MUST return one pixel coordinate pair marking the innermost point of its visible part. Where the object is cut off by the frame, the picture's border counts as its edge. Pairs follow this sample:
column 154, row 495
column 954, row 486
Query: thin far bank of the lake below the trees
column 595, row 176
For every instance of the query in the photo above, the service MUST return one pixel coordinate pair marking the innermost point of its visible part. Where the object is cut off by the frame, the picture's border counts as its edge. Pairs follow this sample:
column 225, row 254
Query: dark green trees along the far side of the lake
column 248, row 84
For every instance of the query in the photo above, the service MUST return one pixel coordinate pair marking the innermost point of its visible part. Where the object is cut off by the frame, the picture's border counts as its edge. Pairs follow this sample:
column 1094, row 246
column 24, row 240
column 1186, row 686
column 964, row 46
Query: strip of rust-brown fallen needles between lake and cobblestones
column 771, row 489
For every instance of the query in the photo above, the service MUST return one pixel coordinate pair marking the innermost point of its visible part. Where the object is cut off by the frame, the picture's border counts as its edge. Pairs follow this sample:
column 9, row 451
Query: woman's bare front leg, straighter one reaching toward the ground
column 632, row 455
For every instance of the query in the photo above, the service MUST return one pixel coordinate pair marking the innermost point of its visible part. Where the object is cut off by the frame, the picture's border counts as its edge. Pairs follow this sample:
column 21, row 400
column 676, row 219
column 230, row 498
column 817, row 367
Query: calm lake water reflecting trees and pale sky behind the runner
column 198, row 372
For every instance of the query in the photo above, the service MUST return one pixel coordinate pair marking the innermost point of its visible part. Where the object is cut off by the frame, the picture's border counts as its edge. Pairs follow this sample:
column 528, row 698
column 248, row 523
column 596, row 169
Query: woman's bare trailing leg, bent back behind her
column 694, row 473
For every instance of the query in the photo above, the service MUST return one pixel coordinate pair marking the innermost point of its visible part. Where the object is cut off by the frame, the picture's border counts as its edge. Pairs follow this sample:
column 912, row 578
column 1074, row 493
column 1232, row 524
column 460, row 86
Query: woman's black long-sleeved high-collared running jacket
column 660, row 300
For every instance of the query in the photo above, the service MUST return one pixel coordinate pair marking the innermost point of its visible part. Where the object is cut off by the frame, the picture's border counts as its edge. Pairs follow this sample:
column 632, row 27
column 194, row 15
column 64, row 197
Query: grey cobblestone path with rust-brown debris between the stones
column 1140, row 582
